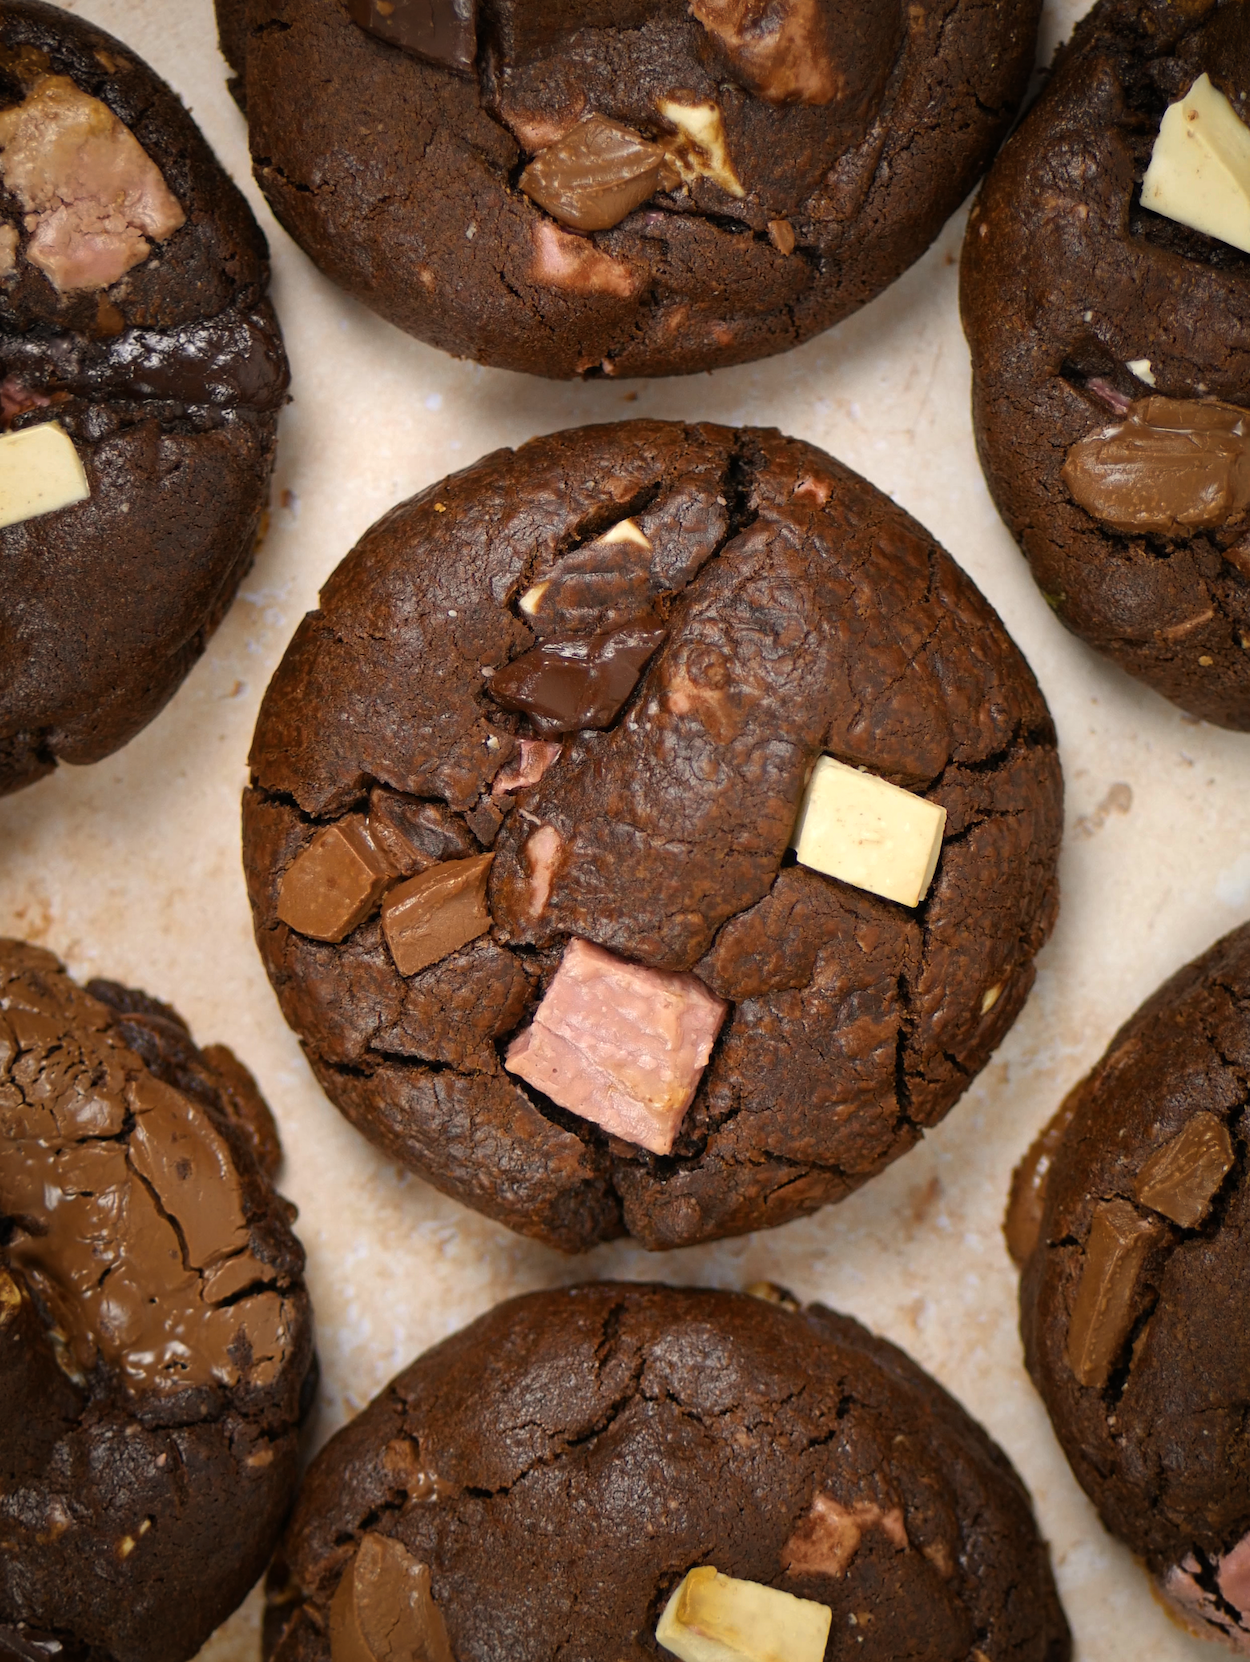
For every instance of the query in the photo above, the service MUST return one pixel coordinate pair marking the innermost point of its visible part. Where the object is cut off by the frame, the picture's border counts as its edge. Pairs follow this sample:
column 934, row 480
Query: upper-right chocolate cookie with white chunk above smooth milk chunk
column 1111, row 352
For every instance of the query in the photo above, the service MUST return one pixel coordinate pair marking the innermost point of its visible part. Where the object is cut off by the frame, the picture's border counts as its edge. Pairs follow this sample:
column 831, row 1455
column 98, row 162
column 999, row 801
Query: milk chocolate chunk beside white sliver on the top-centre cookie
column 598, row 175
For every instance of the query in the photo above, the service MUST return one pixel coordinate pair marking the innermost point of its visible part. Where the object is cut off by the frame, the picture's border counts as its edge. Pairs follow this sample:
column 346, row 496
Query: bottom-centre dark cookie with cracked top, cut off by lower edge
column 539, row 1485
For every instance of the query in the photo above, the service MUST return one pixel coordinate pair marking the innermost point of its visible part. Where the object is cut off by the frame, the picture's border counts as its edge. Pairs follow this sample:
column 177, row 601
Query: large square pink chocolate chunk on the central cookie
column 621, row 1045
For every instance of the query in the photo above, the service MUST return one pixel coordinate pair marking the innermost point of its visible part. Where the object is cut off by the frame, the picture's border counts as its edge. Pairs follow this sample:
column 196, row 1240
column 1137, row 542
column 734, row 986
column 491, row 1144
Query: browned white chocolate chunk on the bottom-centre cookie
column 714, row 1618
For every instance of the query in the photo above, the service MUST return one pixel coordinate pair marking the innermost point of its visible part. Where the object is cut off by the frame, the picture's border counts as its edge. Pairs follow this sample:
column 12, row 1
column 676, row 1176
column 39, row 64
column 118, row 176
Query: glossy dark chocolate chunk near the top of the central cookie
column 566, row 686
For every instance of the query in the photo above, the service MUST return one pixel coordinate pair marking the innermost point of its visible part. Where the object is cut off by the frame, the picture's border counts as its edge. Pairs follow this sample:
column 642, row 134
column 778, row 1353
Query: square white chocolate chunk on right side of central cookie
column 870, row 833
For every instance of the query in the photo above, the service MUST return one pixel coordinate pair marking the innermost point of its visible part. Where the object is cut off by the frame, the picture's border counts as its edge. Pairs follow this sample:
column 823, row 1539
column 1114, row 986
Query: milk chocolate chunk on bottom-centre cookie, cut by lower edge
column 383, row 1610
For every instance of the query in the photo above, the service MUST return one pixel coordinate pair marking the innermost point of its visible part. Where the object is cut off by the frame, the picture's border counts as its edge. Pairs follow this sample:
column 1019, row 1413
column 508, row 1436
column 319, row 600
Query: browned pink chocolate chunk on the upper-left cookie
column 91, row 190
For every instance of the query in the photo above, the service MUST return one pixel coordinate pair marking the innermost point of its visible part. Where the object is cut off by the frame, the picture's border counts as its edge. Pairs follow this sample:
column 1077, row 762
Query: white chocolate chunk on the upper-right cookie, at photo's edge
column 1199, row 170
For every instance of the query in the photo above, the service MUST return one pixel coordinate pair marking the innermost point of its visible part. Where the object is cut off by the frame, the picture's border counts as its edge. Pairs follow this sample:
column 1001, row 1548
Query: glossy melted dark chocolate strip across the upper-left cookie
column 230, row 361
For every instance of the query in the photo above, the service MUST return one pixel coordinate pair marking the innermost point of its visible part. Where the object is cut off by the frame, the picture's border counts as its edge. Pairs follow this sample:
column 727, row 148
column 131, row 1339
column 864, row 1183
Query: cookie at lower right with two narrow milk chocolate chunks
column 1131, row 1219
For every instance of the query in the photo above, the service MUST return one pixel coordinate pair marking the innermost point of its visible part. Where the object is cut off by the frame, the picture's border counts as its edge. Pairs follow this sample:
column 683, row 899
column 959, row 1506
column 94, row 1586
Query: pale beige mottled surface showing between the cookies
column 132, row 868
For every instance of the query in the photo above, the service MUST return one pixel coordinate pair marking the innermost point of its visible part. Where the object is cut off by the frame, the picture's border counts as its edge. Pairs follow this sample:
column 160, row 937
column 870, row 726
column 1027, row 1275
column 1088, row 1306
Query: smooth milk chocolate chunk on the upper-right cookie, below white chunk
column 1173, row 466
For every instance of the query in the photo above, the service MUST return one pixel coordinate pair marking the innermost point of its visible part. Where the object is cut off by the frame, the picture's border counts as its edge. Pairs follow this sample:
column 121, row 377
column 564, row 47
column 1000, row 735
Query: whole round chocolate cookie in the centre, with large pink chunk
column 647, row 739
